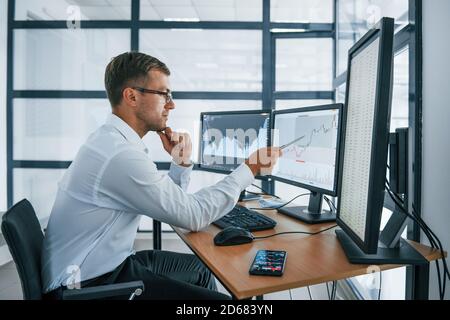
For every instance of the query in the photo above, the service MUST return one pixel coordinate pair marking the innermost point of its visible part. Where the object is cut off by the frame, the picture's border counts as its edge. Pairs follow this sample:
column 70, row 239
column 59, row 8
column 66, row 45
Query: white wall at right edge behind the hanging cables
column 436, row 125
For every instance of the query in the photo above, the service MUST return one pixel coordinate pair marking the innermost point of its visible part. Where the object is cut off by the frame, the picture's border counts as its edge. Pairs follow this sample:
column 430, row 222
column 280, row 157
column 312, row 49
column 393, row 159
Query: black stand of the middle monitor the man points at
column 311, row 214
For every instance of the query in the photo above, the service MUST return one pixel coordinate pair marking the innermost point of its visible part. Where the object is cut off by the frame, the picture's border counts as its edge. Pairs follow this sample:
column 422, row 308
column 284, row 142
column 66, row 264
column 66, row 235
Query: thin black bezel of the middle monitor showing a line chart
column 333, row 106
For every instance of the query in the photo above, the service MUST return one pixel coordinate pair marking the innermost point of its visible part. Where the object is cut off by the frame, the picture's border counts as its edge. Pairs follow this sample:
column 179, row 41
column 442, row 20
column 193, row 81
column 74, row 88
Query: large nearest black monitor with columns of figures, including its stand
column 366, row 124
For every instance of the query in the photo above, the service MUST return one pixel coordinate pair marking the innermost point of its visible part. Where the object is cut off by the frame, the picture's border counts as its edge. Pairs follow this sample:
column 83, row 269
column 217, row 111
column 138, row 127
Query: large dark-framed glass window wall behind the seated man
column 214, row 50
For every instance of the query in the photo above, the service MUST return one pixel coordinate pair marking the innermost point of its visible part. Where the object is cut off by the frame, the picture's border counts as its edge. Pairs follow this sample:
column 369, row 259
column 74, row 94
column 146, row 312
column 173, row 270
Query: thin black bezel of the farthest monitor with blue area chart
column 237, row 112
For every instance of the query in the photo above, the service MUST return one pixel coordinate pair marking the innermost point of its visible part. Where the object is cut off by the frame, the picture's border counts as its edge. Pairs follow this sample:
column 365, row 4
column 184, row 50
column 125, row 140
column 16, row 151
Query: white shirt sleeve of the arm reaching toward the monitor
column 131, row 183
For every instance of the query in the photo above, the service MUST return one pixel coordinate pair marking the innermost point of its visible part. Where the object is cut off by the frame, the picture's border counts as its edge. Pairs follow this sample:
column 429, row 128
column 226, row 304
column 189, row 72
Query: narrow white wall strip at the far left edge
column 3, row 33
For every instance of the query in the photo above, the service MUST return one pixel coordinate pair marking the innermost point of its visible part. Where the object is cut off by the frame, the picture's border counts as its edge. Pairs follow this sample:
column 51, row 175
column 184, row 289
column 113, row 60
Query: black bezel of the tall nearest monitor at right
column 384, row 30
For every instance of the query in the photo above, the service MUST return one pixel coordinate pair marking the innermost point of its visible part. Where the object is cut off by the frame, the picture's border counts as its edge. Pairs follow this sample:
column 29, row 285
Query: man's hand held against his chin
column 178, row 145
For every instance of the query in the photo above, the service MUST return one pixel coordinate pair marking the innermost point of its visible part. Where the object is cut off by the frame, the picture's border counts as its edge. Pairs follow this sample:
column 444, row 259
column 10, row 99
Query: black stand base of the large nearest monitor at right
column 403, row 254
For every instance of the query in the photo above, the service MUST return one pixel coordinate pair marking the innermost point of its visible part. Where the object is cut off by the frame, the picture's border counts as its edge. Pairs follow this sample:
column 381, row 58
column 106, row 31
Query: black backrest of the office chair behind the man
column 23, row 234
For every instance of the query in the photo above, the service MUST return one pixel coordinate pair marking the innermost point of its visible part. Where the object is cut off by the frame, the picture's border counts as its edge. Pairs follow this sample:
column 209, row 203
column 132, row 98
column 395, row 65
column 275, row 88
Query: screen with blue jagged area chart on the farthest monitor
column 228, row 138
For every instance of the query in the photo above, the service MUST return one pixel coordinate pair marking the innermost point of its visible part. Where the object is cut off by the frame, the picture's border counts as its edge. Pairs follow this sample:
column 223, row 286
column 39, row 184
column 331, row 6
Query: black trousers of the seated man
column 166, row 275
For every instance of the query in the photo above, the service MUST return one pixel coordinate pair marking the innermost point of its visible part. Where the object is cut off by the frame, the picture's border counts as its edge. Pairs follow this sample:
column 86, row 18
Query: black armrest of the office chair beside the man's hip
column 106, row 291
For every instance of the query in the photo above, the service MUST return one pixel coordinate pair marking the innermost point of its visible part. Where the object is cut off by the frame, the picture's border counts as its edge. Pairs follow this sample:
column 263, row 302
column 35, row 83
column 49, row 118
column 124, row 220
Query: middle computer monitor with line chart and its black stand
column 311, row 138
